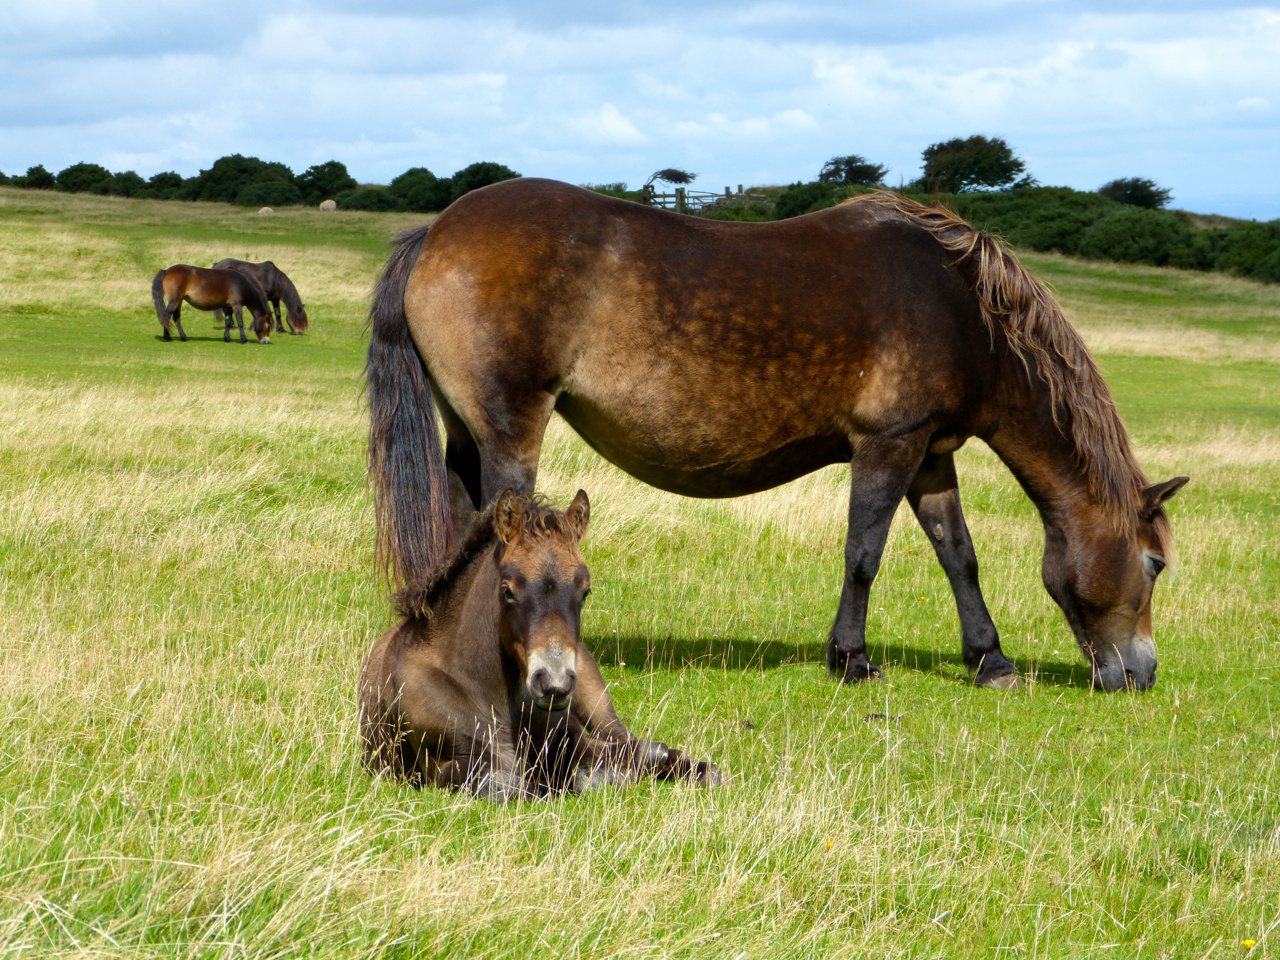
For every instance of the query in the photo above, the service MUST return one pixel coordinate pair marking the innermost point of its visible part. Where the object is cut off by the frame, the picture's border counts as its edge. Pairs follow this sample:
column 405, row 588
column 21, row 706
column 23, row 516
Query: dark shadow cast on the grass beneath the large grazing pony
column 728, row 653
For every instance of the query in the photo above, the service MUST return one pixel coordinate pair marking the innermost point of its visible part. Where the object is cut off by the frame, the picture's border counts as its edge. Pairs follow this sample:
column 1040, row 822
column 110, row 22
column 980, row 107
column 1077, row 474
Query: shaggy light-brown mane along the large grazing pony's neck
column 1039, row 333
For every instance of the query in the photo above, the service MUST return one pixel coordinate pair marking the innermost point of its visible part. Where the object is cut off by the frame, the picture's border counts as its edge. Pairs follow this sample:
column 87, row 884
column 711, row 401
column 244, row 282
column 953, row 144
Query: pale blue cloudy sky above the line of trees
column 589, row 92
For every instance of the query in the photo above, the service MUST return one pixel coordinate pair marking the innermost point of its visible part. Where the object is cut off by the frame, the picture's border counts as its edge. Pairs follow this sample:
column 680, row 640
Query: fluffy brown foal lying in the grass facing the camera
column 484, row 685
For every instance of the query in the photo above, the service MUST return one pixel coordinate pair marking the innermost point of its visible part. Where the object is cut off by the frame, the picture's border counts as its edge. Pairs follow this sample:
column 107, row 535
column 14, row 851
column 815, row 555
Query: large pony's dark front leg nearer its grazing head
column 935, row 496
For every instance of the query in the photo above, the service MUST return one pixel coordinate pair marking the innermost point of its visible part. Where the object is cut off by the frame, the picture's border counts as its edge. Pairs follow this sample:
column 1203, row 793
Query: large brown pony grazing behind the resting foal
column 720, row 359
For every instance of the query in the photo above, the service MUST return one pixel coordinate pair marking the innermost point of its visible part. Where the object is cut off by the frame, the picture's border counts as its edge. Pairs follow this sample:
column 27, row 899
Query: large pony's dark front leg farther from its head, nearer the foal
column 881, row 472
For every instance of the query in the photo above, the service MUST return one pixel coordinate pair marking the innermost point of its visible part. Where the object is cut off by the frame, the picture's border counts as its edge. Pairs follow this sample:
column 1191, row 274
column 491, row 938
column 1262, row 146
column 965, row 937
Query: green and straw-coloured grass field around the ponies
column 188, row 592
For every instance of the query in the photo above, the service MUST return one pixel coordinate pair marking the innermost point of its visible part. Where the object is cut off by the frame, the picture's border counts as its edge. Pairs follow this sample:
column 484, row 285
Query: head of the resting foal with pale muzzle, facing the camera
column 542, row 587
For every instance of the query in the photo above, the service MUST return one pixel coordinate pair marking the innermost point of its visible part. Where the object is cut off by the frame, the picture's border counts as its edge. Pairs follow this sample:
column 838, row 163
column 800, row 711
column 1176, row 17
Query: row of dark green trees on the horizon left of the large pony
column 252, row 182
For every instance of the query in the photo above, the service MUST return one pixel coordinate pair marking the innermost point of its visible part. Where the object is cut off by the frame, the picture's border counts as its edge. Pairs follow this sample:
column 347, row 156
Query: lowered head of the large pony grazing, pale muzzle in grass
column 1104, row 582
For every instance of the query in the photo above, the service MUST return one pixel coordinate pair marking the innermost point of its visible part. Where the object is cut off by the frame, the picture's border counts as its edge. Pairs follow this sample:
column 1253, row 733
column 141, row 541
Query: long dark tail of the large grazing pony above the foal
column 406, row 461
